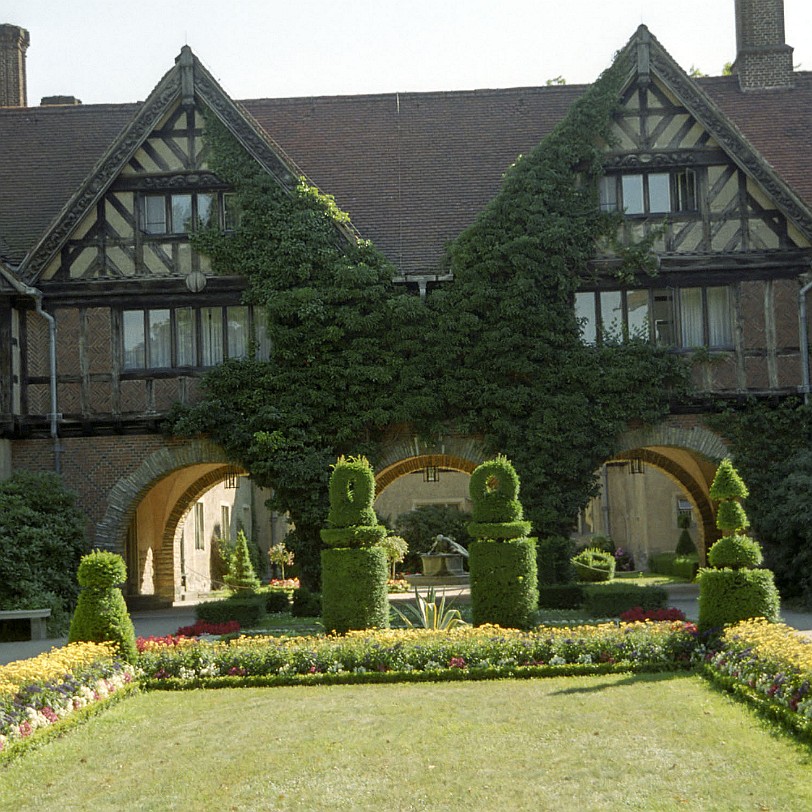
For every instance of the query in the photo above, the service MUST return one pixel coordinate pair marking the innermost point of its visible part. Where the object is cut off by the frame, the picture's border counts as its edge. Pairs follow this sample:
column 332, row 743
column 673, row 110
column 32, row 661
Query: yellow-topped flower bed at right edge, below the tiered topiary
column 768, row 665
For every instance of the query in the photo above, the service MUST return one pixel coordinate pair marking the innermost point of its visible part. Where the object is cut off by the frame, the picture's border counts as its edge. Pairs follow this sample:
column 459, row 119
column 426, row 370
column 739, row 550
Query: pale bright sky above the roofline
column 117, row 50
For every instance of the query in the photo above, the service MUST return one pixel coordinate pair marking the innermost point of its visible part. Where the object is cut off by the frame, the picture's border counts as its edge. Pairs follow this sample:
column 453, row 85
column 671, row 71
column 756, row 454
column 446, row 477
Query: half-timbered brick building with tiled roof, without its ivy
column 108, row 315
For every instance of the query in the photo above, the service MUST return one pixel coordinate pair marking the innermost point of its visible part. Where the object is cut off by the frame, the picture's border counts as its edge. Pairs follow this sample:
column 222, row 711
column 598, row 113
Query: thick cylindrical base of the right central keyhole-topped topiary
column 504, row 583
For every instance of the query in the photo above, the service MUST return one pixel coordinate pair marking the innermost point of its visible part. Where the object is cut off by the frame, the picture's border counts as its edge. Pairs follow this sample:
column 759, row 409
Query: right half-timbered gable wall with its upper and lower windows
column 729, row 235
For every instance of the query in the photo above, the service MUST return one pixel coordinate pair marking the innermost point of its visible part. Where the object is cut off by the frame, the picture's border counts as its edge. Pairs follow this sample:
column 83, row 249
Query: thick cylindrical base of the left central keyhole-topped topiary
column 354, row 593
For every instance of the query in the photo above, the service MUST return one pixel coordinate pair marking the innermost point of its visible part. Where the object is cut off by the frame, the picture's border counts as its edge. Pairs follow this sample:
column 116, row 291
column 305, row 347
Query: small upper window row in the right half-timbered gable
column 649, row 192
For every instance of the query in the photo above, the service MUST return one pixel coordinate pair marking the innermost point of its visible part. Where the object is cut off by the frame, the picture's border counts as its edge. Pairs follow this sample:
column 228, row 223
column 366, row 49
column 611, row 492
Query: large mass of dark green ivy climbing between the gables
column 497, row 352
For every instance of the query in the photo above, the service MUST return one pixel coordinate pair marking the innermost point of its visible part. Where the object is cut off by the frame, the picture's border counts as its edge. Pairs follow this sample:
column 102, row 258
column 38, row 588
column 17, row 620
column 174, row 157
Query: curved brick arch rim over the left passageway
column 124, row 496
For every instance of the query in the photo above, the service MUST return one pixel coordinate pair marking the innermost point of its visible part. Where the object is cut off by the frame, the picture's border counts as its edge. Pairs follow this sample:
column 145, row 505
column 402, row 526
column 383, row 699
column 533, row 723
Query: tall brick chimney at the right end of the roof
column 763, row 59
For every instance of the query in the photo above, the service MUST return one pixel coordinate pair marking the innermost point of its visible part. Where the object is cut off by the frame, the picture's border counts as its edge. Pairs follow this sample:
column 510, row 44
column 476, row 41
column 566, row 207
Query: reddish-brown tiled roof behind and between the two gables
column 412, row 169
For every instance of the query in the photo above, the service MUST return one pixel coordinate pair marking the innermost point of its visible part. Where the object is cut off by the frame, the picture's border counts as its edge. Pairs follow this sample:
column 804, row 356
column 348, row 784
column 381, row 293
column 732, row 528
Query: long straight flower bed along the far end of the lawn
column 417, row 654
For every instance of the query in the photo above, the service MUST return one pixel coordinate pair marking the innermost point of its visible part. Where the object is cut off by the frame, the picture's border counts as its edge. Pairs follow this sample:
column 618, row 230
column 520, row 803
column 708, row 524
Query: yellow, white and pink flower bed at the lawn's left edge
column 37, row 693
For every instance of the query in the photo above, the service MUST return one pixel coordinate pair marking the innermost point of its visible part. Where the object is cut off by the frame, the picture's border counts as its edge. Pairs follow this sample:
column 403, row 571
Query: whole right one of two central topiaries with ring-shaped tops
column 504, row 577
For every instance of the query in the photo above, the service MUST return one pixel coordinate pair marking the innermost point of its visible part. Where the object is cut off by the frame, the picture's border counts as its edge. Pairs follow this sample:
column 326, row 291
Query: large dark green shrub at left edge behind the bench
column 42, row 540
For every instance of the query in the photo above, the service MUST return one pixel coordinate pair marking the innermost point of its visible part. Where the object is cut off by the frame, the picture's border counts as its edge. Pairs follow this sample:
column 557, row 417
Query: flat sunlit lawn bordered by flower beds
column 649, row 742
